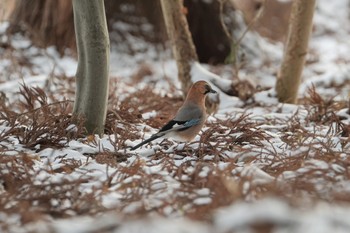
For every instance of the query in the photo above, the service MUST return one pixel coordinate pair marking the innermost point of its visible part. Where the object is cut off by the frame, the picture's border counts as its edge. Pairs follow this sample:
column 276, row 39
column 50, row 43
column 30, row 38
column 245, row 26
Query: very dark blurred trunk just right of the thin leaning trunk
column 212, row 43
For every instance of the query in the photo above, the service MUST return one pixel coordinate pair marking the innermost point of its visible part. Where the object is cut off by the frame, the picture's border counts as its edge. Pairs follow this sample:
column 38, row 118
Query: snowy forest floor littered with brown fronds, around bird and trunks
column 257, row 166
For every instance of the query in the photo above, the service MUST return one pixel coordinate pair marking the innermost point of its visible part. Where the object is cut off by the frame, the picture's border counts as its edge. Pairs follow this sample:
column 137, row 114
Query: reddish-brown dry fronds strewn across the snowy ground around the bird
column 238, row 142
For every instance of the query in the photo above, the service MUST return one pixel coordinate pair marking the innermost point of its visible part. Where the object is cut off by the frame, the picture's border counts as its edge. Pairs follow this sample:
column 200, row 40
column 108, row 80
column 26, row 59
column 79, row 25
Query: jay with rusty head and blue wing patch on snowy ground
column 189, row 119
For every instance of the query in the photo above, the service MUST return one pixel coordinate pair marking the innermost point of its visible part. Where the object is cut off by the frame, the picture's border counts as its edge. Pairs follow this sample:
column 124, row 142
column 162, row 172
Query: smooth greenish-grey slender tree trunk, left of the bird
column 93, row 63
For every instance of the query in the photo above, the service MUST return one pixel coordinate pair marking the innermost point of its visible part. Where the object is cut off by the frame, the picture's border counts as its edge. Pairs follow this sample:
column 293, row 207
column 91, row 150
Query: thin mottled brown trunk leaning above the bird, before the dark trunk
column 180, row 37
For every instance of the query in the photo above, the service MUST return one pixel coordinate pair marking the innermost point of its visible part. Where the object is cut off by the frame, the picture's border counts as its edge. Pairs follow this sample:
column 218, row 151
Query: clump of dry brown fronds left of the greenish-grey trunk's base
column 40, row 124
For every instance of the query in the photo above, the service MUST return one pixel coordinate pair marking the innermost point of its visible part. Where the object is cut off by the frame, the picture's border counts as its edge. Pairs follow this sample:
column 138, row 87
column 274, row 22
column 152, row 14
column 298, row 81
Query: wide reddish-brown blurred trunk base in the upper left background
column 47, row 22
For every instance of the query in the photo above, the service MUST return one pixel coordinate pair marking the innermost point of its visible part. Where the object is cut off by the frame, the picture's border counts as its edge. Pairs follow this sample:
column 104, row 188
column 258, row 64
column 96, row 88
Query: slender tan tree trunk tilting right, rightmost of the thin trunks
column 300, row 26
